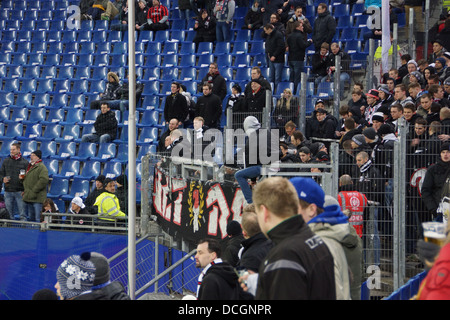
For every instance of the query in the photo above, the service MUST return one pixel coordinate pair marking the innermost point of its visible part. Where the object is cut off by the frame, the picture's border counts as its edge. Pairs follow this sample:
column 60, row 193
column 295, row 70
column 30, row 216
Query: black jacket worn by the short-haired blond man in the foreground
column 298, row 267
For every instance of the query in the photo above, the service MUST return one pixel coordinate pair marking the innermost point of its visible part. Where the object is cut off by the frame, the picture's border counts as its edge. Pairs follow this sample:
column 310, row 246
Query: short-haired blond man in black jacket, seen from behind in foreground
column 311, row 271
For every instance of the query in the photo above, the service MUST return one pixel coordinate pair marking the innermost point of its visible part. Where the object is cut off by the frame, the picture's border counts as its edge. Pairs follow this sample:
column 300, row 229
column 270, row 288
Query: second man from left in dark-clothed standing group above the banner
column 209, row 107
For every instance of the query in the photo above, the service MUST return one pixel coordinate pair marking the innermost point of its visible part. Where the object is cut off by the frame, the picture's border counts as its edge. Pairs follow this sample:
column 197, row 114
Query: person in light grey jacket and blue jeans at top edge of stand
column 224, row 13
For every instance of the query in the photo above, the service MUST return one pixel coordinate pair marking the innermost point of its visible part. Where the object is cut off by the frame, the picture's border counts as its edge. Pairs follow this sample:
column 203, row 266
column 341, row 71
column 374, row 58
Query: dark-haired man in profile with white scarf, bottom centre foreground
column 218, row 280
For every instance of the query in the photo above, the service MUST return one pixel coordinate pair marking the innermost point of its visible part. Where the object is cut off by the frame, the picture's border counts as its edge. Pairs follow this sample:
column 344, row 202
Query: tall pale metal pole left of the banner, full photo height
column 131, row 154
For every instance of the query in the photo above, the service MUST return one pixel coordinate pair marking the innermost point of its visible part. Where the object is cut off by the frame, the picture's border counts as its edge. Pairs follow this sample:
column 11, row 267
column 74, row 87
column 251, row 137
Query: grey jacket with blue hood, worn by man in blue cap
column 332, row 226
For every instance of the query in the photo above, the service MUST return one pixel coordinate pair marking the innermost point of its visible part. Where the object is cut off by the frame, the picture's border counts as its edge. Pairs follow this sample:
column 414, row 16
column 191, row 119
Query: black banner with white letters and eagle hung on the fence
column 195, row 209
